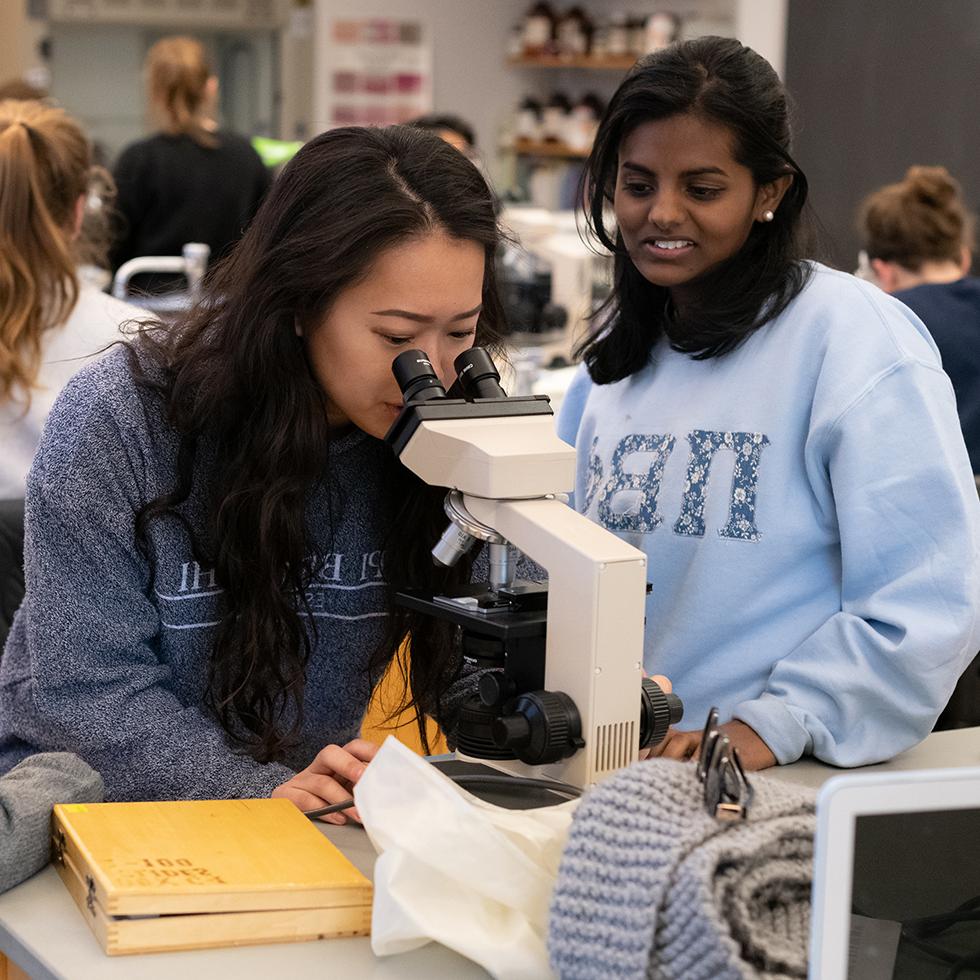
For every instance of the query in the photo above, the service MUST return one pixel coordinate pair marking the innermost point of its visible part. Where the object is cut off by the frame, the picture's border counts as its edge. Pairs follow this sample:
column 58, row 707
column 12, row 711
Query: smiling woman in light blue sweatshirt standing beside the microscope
column 779, row 438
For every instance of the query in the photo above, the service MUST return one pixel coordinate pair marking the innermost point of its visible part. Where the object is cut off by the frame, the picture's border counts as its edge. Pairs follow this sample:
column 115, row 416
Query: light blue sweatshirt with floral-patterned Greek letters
column 810, row 518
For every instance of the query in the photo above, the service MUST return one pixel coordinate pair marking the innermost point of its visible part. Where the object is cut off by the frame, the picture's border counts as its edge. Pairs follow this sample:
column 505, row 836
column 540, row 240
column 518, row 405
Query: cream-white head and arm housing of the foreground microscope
column 513, row 472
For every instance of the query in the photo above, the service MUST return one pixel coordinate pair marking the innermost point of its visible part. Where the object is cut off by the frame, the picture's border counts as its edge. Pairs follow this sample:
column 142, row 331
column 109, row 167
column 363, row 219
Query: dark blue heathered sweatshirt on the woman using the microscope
column 107, row 656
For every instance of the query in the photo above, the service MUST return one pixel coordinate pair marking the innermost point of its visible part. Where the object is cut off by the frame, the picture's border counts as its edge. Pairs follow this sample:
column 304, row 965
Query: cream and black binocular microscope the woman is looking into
column 563, row 696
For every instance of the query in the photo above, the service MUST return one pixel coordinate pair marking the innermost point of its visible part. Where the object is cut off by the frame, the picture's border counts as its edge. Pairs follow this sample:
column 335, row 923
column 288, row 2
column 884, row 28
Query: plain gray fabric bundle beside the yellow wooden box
column 27, row 794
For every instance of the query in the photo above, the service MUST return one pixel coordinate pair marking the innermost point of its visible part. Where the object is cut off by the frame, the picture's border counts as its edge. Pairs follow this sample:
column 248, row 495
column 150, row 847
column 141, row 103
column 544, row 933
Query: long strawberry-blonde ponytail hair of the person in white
column 44, row 166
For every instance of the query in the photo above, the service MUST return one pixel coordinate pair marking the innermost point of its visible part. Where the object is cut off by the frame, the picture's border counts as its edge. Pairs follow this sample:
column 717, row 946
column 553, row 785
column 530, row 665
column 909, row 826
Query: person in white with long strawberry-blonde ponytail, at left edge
column 51, row 320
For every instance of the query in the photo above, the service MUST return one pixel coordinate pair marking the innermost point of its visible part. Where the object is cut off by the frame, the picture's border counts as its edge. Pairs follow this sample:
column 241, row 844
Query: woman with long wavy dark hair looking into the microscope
column 214, row 526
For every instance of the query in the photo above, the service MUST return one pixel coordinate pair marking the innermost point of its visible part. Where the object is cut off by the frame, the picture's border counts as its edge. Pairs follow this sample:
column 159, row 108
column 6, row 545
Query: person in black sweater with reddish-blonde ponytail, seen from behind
column 191, row 181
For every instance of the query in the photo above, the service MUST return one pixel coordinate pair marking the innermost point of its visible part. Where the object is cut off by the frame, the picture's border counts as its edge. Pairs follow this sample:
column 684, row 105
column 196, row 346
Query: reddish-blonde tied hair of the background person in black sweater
column 177, row 73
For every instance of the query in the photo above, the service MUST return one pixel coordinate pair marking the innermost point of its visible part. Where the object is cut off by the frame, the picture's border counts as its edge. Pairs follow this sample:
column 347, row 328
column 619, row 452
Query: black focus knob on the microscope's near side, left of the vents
column 540, row 727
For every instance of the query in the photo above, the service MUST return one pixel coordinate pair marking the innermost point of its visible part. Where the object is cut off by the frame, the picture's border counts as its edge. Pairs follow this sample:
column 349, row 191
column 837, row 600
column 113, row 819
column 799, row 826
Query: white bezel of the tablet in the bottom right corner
column 840, row 802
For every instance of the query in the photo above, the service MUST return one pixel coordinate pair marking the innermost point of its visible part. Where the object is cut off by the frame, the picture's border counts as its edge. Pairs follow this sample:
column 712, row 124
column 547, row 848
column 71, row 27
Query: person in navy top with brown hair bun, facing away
column 919, row 241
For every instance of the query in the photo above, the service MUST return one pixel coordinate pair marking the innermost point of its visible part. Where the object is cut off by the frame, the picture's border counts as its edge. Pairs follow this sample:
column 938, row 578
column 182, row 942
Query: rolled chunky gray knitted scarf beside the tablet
column 651, row 886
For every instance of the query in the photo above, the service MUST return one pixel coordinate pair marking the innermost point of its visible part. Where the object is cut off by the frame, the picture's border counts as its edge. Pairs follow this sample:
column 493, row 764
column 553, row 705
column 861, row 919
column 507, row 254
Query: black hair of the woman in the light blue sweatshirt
column 724, row 82
